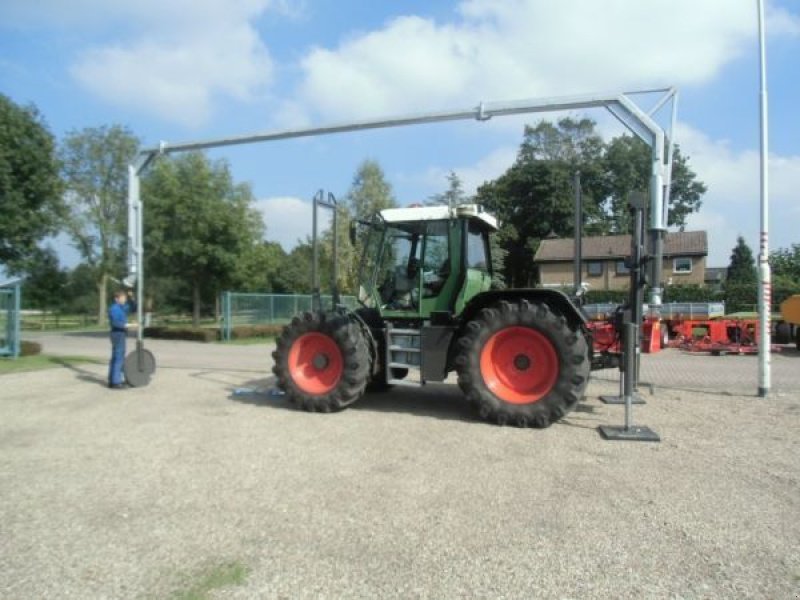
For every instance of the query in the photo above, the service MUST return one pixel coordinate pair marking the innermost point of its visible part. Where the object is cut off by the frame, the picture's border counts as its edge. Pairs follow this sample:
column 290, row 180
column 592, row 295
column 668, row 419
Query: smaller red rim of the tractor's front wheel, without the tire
column 315, row 363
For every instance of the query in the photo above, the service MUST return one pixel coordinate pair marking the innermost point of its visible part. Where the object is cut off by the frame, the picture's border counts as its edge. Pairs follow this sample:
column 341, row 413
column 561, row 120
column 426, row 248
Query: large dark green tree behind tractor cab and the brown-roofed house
column 534, row 198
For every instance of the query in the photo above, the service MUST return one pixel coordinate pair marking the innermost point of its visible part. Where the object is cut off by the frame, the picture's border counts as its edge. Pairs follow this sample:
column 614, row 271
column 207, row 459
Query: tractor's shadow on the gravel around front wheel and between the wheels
column 437, row 401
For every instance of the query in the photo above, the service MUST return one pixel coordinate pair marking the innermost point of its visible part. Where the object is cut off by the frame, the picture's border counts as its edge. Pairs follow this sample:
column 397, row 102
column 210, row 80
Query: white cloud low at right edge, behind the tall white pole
column 731, row 205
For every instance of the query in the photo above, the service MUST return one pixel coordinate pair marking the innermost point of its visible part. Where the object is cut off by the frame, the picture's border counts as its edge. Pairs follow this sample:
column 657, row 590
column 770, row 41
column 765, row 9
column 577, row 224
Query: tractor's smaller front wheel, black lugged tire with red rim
column 322, row 361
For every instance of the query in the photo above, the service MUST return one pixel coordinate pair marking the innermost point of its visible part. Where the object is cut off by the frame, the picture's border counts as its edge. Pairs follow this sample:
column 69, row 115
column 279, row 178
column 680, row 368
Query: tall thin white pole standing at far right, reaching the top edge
column 765, row 275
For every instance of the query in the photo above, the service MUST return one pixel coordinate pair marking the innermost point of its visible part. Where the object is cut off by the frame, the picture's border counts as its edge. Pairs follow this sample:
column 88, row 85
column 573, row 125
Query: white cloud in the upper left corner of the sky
column 172, row 59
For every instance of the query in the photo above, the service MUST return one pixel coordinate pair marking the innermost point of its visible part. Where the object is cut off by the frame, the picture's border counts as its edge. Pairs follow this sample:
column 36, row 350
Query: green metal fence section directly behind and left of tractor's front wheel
column 254, row 309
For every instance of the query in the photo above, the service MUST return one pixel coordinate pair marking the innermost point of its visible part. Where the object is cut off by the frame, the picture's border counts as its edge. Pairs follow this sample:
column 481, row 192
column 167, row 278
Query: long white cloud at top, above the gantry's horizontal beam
column 528, row 48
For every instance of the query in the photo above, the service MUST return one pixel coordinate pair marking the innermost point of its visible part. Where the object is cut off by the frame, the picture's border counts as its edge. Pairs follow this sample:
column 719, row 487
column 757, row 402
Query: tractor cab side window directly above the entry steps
column 399, row 268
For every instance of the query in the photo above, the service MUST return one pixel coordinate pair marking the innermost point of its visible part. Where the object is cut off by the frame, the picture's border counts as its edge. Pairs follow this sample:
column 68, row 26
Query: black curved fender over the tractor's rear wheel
column 558, row 301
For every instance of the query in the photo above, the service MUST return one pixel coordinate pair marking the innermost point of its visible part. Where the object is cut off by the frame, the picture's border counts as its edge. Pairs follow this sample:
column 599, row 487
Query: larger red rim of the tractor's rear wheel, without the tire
column 519, row 365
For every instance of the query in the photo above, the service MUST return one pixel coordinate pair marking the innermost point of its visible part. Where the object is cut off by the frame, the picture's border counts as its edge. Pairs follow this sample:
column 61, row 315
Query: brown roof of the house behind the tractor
column 676, row 243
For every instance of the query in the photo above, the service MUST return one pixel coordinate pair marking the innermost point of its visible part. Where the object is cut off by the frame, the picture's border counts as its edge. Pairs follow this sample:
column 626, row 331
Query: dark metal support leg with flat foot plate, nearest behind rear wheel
column 629, row 371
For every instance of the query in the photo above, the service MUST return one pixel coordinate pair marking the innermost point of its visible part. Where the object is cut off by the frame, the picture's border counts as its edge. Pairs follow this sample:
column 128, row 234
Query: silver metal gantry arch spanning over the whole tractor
column 621, row 105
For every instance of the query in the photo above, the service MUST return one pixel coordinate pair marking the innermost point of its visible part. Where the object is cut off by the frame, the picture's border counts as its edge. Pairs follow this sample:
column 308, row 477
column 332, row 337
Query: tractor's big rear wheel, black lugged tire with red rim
column 527, row 344
